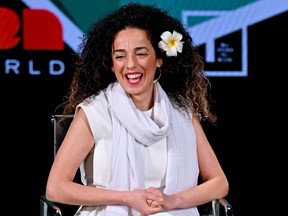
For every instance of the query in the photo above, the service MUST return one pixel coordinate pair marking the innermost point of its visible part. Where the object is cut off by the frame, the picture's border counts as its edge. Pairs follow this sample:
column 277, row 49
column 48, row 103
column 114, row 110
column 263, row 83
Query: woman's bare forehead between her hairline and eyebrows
column 131, row 36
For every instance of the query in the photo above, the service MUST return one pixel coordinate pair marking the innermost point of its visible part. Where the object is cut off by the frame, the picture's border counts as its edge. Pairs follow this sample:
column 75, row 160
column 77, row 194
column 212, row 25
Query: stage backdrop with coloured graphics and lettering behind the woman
column 244, row 46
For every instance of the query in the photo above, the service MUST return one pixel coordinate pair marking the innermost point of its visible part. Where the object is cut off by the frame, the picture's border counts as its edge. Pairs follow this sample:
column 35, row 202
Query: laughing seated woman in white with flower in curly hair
column 139, row 94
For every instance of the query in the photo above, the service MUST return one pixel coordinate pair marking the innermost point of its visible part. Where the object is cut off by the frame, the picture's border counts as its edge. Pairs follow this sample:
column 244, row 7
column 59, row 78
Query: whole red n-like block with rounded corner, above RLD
column 41, row 30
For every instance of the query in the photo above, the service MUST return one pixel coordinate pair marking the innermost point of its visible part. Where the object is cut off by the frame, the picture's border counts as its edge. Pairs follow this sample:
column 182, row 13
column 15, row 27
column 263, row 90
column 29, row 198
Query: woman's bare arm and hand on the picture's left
column 77, row 143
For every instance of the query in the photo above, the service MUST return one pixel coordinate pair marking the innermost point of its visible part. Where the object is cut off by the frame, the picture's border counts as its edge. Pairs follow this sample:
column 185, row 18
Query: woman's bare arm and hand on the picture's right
column 214, row 186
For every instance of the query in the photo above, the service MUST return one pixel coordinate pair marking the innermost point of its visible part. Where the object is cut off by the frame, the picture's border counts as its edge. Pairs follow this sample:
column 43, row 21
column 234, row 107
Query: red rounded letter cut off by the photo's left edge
column 9, row 27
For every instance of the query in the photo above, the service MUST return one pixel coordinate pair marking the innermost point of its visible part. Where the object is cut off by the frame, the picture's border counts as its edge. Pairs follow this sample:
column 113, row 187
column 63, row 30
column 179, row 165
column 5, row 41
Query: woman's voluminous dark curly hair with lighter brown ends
column 182, row 78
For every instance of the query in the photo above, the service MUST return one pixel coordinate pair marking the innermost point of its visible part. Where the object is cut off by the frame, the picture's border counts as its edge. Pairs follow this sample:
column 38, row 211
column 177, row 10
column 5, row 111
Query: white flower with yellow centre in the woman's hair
column 171, row 43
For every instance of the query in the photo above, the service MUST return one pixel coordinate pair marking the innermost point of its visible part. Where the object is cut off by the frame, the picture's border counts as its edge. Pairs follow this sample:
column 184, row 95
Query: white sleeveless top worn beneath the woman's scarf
column 95, row 170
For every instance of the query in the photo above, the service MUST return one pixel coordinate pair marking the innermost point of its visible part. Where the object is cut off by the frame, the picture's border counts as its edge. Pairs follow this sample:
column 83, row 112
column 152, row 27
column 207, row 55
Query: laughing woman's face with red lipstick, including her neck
column 134, row 64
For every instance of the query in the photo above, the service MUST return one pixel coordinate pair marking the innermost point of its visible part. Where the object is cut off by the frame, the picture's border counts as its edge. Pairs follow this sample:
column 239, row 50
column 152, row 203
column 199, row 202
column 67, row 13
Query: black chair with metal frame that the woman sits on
column 219, row 207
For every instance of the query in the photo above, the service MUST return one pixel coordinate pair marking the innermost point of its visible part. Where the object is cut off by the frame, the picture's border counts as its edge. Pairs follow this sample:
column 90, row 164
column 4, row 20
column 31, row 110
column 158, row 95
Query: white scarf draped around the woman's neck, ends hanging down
column 133, row 129
